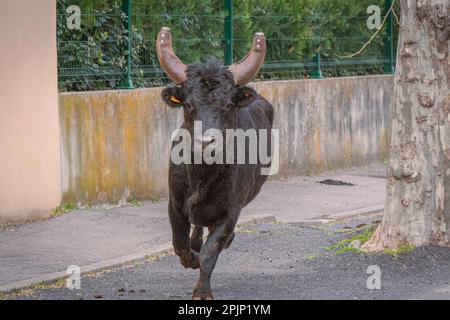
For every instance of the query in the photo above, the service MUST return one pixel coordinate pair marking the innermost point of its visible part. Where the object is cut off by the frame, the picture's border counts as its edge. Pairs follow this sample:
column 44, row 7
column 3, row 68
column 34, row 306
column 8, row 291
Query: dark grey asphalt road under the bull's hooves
column 274, row 261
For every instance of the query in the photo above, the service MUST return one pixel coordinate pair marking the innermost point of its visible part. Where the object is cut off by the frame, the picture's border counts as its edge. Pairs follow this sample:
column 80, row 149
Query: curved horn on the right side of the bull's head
column 247, row 68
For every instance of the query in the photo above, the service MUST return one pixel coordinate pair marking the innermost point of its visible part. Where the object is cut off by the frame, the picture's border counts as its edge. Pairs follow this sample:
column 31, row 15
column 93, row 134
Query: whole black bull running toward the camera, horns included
column 213, row 195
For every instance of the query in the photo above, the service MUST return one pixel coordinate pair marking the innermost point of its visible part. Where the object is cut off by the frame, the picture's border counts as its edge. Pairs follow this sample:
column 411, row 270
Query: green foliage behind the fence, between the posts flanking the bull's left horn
column 197, row 29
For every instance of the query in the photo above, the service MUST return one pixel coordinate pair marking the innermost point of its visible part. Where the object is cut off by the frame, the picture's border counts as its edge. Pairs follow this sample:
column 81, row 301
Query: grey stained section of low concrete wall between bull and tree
column 332, row 123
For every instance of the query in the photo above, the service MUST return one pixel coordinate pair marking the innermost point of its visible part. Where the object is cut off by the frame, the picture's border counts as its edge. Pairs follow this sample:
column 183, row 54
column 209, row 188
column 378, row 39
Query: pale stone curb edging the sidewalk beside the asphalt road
column 160, row 249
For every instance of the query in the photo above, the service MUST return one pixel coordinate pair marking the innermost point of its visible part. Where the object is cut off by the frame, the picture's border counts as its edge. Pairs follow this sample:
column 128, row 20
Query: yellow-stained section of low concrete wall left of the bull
column 117, row 148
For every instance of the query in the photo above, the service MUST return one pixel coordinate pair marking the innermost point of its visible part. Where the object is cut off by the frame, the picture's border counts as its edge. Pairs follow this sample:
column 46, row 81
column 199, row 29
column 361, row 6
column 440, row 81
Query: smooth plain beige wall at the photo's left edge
column 29, row 128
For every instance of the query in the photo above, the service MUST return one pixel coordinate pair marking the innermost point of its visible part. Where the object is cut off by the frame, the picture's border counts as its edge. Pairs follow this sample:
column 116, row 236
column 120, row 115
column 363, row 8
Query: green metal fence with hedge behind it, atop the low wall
column 115, row 44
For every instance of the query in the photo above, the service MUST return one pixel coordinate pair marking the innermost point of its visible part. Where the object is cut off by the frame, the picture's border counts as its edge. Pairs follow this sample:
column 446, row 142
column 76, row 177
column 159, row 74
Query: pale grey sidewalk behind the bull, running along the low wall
column 97, row 238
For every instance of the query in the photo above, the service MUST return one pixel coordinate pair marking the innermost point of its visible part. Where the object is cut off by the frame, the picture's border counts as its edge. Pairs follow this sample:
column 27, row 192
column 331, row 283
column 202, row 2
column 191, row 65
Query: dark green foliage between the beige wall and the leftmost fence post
column 96, row 55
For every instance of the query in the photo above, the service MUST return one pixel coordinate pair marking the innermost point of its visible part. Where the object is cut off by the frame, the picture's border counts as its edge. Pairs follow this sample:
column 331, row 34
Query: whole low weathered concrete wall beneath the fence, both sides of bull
column 115, row 144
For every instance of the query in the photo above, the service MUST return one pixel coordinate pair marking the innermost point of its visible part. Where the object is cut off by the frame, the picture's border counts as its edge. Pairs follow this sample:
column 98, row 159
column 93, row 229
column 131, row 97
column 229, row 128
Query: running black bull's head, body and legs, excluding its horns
column 212, row 195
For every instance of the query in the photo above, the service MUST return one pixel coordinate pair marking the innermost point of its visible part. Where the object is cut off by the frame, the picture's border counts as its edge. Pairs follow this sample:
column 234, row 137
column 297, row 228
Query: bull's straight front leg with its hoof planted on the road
column 218, row 236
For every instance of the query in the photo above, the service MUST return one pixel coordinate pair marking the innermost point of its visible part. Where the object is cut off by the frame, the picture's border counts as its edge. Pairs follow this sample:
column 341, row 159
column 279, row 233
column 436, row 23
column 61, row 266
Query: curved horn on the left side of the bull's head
column 170, row 63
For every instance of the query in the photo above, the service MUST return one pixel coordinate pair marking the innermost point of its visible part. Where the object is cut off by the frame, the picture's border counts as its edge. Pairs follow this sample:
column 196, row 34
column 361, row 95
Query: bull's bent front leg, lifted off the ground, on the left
column 180, row 236
